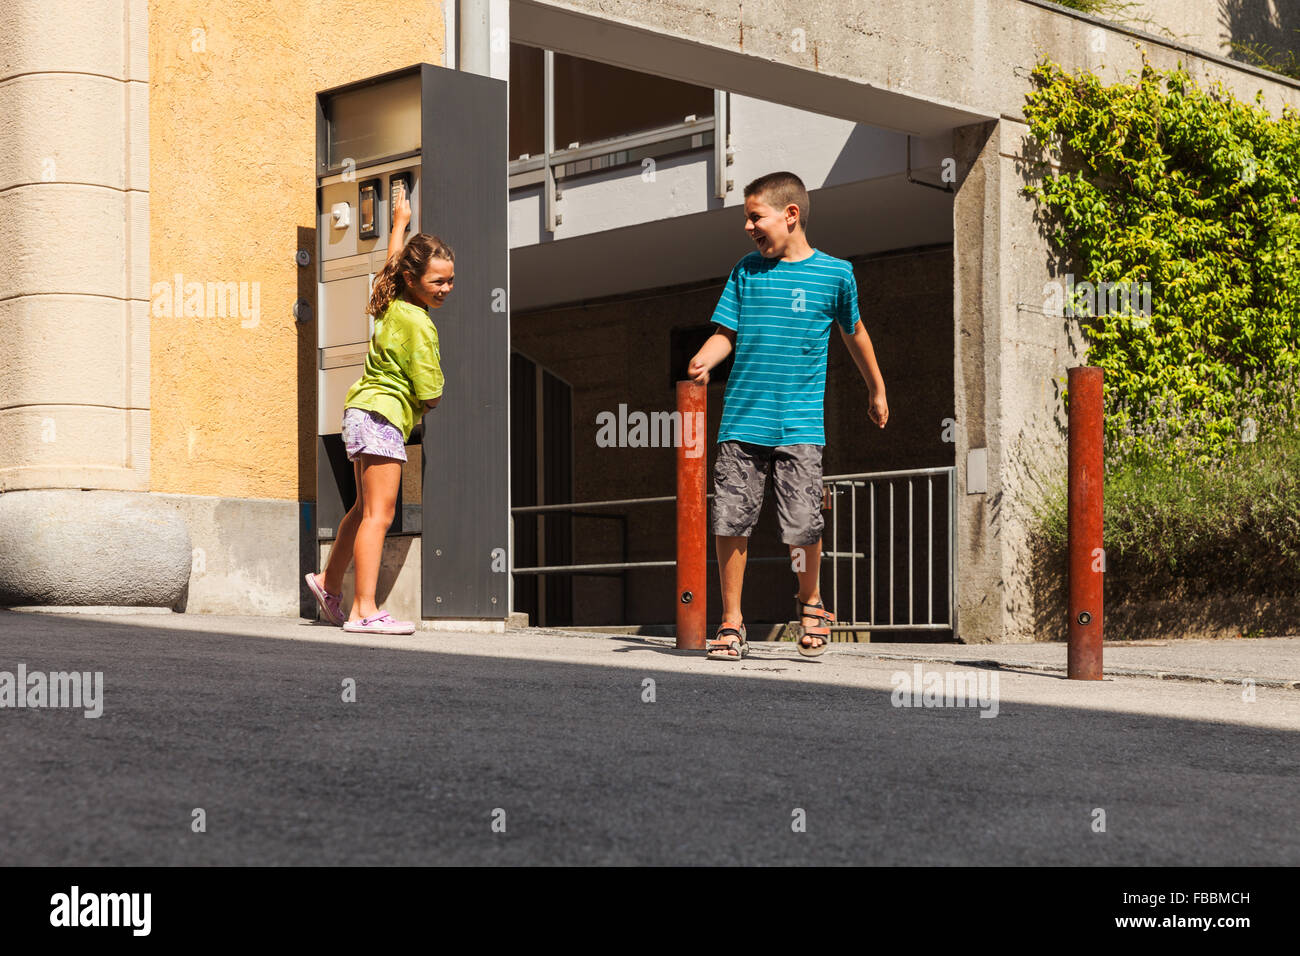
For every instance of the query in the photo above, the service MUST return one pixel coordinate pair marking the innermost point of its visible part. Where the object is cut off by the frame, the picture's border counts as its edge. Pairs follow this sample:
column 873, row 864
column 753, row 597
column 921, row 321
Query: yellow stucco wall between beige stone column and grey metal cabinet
column 232, row 198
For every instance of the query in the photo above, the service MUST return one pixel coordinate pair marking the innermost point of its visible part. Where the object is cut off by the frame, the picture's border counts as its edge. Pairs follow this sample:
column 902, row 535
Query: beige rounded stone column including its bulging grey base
column 77, row 525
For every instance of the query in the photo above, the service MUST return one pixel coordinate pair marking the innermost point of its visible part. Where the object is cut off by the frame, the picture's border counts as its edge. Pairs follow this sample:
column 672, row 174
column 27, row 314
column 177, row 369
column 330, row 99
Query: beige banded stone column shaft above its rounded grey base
column 73, row 287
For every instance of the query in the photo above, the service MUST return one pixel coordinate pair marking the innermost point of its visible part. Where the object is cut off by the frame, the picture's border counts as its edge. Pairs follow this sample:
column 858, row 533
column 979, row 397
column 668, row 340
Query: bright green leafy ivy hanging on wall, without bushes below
column 1197, row 194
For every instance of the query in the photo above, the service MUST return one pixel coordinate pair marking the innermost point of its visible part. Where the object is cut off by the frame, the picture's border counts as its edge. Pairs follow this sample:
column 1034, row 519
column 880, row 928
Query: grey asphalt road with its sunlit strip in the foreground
column 552, row 737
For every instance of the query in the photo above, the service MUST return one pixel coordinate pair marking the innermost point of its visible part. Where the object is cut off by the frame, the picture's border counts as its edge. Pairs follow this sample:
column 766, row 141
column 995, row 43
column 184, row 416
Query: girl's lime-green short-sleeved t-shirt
column 402, row 367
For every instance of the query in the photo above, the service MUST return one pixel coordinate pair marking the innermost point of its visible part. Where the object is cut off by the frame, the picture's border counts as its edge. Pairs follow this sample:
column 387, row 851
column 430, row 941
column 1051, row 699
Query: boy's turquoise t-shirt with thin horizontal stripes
column 782, row 314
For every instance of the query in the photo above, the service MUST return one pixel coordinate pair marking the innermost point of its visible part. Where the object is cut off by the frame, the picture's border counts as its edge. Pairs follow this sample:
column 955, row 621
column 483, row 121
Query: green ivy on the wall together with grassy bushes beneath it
column 1197, row 194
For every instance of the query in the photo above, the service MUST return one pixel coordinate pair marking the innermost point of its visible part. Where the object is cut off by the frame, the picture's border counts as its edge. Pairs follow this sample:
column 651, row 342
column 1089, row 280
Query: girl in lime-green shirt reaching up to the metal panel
column 402, row 380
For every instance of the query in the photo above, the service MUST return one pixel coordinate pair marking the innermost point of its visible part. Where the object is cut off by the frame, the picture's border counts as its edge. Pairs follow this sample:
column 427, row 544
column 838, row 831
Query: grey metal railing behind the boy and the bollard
column 837, row 487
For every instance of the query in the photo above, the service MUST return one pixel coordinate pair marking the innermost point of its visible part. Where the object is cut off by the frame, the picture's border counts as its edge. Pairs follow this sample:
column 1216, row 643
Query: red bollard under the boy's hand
column 692, row 509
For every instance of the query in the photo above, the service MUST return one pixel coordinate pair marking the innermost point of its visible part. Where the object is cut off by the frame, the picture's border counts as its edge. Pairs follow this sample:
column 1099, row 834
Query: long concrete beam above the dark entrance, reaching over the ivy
column 913, row 66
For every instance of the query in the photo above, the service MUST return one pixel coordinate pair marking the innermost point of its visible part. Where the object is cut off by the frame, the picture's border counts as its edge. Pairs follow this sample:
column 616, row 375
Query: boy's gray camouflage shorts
column 740, row 473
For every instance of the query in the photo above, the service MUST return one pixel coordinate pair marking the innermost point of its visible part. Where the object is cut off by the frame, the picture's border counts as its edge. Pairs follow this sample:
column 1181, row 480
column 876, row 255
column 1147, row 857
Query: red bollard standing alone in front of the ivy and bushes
column 1087, row 559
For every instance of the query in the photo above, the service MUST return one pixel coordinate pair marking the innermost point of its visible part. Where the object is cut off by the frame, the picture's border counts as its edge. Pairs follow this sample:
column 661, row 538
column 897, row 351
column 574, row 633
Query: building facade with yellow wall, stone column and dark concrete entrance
column 159, row 351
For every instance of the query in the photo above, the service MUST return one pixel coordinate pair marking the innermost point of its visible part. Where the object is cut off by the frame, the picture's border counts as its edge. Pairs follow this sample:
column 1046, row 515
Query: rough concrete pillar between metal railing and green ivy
column 1011, row 357
